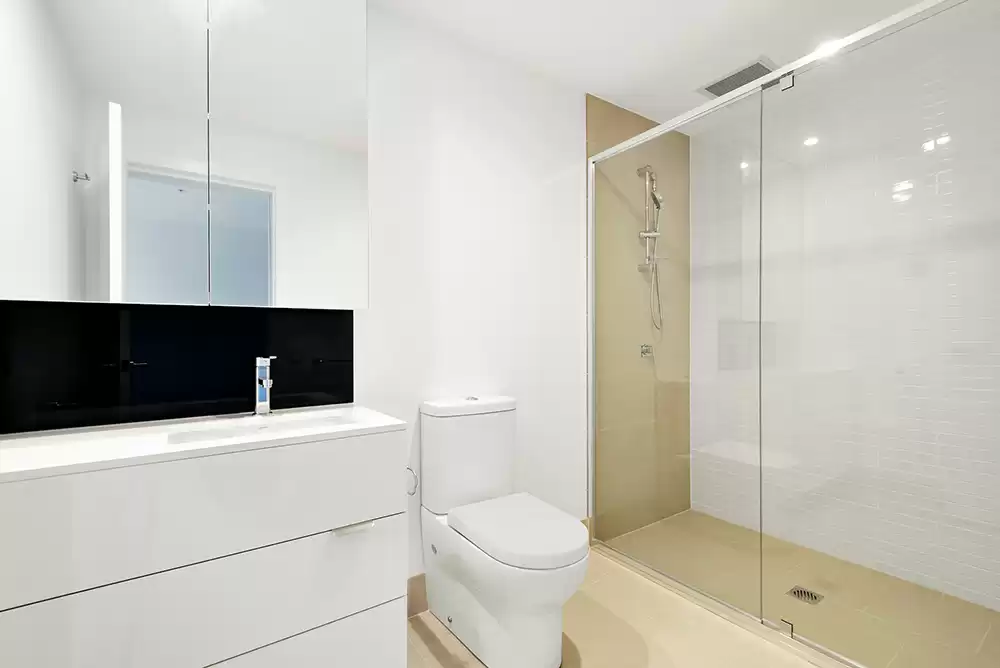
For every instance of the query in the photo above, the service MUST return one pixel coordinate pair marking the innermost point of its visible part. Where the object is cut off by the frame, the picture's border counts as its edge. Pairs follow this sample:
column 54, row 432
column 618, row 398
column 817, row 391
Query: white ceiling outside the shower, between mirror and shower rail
column 650, row 56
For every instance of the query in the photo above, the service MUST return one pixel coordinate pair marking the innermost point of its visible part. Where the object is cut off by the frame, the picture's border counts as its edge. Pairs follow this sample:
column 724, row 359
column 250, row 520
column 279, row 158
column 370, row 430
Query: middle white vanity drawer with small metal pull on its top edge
column 192, row 617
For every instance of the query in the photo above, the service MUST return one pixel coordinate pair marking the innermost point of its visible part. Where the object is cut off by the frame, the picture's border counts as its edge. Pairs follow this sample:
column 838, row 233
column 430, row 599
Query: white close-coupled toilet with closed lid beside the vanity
column 499, row 565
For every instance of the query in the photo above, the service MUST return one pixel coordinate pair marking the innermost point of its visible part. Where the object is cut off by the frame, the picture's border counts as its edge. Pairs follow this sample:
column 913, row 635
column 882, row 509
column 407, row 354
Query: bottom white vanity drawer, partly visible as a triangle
column 375, row 638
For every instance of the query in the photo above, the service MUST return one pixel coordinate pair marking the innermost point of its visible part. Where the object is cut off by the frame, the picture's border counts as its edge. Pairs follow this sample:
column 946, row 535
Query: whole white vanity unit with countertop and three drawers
column 258, row 541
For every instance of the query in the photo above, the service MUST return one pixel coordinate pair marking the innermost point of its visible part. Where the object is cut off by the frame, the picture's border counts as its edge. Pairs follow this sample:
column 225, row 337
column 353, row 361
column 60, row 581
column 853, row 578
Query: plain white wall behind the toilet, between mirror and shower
column 478, row 238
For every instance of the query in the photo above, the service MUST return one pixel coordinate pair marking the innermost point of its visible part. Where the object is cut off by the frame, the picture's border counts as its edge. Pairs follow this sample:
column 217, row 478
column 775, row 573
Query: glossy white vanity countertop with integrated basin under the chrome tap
column 25, row 457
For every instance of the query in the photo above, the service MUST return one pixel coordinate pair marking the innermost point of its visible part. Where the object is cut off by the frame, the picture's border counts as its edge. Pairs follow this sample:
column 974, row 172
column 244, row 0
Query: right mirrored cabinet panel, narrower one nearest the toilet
column 289, row 213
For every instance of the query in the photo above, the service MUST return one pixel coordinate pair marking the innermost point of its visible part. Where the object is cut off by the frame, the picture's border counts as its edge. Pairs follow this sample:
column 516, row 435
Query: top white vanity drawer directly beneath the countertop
column 70, row 533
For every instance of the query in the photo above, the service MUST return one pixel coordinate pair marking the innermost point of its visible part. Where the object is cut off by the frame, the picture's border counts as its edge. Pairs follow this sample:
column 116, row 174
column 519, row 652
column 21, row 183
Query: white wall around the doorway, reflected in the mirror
column 320, row 199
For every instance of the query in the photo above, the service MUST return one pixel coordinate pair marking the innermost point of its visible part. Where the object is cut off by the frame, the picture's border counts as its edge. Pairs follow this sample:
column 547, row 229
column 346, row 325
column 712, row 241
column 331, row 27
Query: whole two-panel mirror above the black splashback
column 185, row 151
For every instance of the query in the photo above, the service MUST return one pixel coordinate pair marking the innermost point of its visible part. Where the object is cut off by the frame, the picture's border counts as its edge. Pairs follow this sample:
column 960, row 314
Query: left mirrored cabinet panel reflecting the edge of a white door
column 93, row 83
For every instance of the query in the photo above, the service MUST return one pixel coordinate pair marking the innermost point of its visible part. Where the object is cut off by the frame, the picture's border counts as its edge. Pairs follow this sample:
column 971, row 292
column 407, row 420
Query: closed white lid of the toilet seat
column 520, row 530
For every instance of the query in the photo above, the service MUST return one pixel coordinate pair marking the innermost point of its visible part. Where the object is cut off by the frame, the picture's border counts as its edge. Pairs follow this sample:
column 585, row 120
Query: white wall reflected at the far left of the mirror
column 38, row 119
